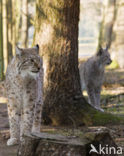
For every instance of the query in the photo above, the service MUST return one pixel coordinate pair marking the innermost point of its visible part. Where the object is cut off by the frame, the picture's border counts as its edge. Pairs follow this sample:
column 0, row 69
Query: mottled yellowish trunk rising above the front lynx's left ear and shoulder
column 13, row 22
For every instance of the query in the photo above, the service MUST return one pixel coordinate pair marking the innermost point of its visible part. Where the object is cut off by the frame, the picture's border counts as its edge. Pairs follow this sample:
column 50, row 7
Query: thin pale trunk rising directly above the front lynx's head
column 24, row 29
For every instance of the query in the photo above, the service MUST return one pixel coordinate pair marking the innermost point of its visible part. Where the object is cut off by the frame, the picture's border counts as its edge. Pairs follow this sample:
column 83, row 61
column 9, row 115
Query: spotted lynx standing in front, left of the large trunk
column 24, row 85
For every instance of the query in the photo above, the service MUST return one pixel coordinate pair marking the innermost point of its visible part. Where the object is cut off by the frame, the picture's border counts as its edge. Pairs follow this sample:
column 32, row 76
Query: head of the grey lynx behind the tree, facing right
column 104, row 56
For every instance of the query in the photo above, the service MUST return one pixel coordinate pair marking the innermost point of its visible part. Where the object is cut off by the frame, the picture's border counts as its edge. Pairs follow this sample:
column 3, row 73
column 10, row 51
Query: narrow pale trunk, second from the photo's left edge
column 5, row 34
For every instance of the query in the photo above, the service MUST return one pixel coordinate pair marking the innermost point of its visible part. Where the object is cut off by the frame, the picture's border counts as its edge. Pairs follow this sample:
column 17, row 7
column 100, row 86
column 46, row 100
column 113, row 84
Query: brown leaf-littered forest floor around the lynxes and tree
column 112, row 99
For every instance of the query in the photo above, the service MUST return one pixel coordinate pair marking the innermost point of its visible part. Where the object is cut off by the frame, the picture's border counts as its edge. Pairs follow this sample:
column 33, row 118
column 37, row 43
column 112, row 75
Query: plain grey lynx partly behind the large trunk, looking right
column 92, row 75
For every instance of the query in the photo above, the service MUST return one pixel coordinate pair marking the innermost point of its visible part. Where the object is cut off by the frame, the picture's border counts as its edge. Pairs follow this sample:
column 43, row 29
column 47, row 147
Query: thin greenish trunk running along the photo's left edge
column 1, row 44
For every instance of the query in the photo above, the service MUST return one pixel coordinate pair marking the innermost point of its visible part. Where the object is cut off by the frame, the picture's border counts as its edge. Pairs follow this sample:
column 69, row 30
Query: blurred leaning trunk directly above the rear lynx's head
column 106, row 28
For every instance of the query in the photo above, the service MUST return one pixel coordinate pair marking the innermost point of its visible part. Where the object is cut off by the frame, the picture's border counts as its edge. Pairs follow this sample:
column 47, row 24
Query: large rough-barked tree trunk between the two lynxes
column 57, row 35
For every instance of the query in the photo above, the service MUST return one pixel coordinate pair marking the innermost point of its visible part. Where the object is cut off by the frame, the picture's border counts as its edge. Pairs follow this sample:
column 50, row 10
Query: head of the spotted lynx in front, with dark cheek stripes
column 29, row 61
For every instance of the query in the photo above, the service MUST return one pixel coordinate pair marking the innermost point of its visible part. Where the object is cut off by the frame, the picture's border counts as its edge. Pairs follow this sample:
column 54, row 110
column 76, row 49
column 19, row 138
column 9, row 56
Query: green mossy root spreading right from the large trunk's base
column 90, row 116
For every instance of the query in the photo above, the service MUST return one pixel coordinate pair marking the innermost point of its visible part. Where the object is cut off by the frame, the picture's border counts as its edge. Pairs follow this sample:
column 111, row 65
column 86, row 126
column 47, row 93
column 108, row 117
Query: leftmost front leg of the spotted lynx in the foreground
column 14, row 121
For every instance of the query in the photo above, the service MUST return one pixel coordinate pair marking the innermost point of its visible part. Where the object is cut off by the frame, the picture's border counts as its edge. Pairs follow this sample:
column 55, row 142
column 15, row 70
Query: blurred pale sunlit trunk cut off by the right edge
column 118, row 42
